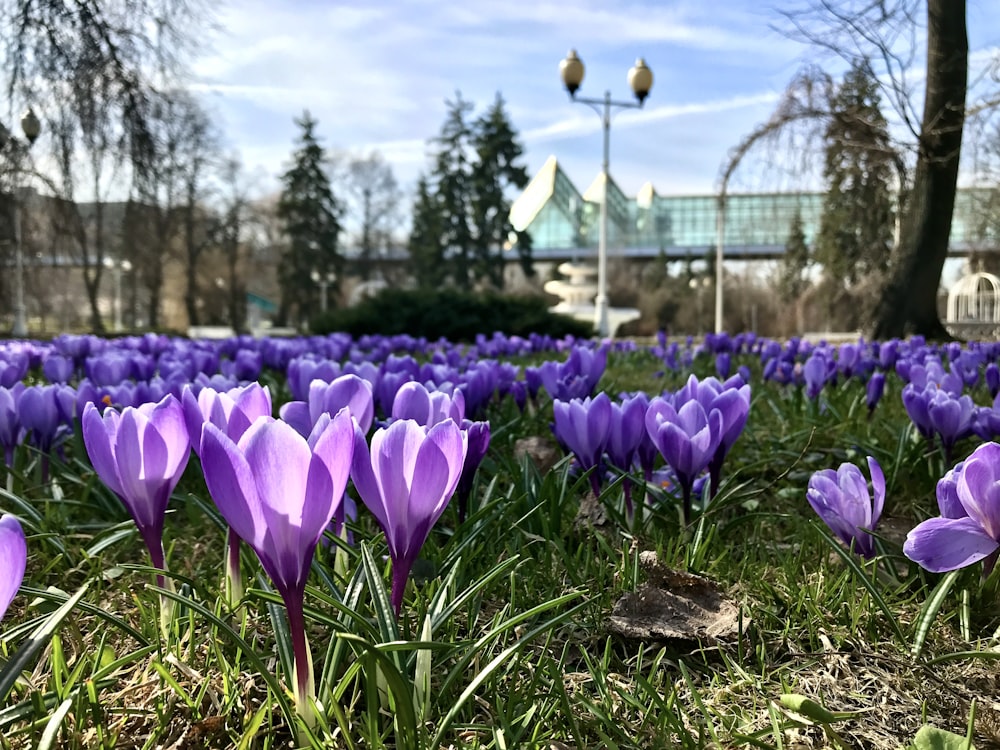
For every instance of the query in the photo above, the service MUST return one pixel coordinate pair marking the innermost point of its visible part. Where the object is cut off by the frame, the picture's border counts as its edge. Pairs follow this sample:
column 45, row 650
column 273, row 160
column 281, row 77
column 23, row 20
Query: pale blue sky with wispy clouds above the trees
column 376, row 76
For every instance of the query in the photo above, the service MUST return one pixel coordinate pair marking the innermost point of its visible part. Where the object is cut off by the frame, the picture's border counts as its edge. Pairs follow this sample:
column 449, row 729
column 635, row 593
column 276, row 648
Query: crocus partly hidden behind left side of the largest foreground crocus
column 233, row 412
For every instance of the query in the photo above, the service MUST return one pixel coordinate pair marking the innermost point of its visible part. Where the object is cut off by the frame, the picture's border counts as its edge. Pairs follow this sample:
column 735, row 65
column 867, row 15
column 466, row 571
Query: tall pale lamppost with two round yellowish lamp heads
column 640, row 79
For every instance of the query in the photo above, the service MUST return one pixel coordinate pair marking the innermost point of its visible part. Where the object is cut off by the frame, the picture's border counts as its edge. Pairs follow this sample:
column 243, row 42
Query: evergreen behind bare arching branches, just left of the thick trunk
column 855, row 235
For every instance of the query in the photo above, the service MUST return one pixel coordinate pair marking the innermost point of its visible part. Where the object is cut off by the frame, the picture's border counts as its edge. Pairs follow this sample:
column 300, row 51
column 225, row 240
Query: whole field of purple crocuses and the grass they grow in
column 521, row 542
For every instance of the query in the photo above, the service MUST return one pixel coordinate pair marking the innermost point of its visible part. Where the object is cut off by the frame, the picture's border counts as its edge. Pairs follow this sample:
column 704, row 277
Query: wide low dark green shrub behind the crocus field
column 451, row 314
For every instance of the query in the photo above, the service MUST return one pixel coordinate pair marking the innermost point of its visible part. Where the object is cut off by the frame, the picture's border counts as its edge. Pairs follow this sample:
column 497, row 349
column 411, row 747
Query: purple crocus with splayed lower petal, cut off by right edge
column 968, row 531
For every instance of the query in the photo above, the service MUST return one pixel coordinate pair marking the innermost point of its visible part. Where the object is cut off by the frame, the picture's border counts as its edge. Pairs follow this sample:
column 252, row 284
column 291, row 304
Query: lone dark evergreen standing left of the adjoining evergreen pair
column 310, row 215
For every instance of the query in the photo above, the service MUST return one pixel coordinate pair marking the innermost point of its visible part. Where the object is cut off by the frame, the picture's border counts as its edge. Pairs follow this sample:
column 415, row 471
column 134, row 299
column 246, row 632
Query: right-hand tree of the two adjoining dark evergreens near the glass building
column 495, row 171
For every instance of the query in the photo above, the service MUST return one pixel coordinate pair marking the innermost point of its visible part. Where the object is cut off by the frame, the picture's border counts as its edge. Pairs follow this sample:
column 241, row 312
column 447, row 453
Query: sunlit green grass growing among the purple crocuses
column 503, row 641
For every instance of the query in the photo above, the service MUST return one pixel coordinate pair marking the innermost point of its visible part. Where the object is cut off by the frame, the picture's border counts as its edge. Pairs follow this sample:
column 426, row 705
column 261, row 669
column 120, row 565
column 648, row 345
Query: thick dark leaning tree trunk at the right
column 909, row 302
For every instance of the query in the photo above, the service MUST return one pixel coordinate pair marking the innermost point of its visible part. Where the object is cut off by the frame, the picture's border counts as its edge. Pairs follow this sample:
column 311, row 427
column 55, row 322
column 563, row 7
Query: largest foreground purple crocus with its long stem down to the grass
column 279, row 491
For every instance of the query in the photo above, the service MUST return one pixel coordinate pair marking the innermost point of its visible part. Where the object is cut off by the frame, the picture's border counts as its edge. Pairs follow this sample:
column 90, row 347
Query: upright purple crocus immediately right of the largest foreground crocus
column 406, row 480
